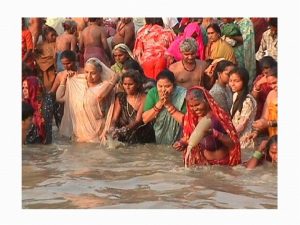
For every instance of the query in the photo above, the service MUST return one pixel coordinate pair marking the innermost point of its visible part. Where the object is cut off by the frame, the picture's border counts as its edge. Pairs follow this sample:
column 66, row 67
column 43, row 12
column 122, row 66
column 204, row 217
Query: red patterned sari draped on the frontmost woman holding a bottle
column 190, row 121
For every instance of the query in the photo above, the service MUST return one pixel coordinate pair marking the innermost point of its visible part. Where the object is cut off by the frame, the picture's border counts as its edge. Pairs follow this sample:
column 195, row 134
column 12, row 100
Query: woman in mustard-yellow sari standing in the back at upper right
column 216, row 47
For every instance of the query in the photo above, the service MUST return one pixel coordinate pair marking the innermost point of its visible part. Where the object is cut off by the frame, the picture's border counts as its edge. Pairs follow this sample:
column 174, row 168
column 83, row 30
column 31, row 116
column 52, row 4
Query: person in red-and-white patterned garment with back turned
column 150, row 46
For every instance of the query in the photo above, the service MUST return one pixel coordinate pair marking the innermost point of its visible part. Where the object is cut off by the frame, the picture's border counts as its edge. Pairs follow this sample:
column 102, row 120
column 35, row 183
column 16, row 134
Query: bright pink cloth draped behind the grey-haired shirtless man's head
column 192, row 30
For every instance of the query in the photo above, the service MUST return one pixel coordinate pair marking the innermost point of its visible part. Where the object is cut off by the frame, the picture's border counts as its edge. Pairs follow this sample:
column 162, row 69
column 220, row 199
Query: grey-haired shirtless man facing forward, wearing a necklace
column 189, row 71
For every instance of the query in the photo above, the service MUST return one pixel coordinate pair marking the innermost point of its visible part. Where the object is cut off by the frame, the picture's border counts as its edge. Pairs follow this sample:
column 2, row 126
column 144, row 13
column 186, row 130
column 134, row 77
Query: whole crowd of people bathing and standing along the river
column 205, row 86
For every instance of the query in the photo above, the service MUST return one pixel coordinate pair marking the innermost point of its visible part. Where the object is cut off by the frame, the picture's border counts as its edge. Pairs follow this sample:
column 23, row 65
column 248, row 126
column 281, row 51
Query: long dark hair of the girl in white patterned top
column 244, row 76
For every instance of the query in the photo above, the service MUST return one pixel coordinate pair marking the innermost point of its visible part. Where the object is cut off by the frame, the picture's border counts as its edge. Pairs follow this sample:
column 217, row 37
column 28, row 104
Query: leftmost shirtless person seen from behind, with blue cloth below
column 65, row 41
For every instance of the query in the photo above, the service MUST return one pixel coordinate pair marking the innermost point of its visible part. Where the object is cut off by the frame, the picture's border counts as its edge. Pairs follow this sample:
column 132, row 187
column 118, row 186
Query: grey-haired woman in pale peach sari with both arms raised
column 88, row 102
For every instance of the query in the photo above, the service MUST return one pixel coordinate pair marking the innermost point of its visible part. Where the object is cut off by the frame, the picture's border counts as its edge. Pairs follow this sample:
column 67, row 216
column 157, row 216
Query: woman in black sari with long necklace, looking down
column 127, row 124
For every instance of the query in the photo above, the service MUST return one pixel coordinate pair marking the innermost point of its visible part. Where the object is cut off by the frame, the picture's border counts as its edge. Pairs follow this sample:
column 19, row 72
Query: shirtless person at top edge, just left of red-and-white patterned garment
column 125, row 33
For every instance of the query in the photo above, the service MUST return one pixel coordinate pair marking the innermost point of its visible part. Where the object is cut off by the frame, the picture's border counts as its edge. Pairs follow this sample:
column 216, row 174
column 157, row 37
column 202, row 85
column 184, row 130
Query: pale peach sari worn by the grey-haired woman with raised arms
column 85, row 118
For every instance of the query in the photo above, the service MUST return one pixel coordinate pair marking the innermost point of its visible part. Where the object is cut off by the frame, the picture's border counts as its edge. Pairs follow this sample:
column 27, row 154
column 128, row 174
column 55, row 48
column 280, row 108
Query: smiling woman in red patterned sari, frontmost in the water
column 220, row 144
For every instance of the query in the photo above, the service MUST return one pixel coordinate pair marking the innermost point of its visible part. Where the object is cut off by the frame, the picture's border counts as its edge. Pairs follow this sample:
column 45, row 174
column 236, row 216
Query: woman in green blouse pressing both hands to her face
column 165, row 107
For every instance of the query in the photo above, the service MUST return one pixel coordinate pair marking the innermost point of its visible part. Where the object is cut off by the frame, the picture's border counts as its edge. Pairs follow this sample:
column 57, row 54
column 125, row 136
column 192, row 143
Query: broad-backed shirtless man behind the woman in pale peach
column 93, row 42
